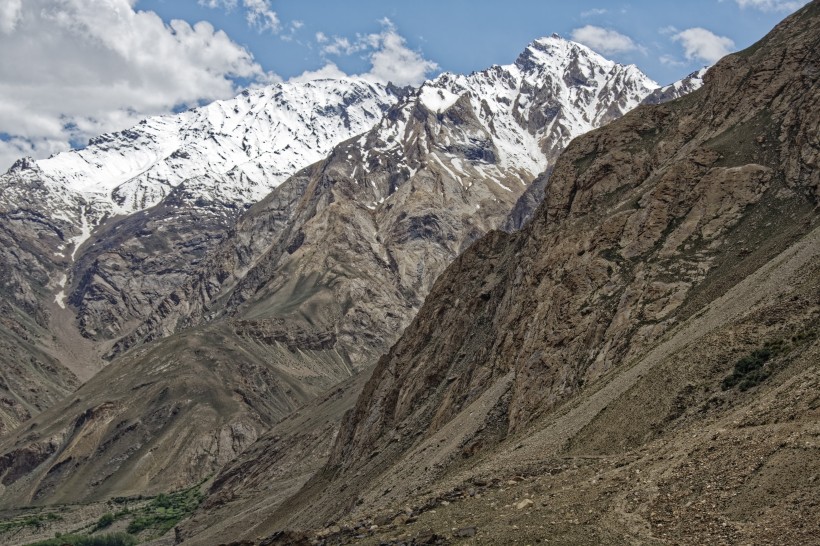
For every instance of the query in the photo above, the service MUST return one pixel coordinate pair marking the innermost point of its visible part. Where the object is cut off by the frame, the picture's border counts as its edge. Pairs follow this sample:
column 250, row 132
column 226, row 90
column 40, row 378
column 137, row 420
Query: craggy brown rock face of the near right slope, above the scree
column 644, row 223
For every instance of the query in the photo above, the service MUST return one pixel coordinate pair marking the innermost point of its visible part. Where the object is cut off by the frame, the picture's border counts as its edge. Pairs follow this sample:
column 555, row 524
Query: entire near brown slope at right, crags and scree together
column 650, row 336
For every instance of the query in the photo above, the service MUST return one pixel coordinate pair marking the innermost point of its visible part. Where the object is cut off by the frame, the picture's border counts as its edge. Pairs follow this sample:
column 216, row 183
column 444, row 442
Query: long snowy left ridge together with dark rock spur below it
column 191, row 175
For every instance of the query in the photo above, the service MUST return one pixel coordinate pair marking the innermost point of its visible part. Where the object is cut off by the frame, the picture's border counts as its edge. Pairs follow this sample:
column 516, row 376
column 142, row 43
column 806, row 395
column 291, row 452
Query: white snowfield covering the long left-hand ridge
column 253, row 142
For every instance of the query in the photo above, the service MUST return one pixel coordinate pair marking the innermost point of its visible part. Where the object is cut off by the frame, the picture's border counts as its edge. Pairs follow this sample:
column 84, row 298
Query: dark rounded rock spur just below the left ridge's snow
column 130, row 264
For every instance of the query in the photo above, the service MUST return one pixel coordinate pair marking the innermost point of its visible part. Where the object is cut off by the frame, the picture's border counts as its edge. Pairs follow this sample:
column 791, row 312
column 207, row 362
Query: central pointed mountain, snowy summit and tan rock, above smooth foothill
column 432, row 176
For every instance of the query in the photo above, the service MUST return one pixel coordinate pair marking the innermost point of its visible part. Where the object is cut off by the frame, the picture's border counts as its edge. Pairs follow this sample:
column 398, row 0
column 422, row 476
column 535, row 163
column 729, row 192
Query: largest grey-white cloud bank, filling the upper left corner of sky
column 77, row 68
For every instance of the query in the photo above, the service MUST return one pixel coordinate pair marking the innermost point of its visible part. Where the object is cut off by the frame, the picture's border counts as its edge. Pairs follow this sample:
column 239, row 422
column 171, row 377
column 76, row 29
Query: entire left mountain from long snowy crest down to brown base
column 145, row 205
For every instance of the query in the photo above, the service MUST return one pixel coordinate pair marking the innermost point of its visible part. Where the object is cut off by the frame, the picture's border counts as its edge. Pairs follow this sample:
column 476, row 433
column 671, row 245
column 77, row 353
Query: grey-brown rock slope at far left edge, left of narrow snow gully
column 32, row 255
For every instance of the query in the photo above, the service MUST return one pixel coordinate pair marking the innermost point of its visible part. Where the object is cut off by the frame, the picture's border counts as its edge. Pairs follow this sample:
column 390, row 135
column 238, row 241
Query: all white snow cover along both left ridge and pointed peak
column 237, row 150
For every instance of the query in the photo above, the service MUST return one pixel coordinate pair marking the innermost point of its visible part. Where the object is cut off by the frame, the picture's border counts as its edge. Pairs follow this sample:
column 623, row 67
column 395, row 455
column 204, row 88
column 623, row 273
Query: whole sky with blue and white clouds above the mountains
column 73, row 69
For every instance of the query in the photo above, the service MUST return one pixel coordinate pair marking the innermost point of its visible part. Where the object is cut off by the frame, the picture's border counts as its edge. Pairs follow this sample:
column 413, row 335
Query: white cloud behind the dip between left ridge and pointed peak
column 390, row 58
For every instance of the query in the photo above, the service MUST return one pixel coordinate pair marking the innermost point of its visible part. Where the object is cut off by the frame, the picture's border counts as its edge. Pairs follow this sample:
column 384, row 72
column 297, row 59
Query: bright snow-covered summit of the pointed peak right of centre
column 556, row 90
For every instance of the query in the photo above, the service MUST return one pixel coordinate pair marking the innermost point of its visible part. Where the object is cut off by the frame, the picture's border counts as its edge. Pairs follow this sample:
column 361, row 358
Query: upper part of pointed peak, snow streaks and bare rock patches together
column 504, row 125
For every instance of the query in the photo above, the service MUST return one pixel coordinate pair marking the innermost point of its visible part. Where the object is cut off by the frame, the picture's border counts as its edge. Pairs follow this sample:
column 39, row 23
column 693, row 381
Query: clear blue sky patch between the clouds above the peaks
column 466, row 35
